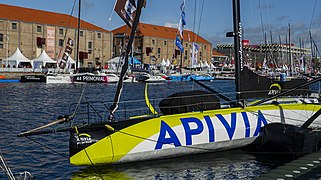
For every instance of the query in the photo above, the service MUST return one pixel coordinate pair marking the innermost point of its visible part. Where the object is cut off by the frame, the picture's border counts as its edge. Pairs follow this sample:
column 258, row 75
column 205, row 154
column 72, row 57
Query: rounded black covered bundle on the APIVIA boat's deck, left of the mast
column 189, row 101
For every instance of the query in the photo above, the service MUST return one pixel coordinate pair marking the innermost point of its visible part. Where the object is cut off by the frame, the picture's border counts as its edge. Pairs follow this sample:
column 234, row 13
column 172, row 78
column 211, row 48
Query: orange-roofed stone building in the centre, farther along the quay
column 154, row 43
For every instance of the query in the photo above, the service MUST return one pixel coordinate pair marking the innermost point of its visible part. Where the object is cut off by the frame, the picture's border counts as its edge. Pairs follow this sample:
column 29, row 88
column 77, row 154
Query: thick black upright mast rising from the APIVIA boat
column 238, row 48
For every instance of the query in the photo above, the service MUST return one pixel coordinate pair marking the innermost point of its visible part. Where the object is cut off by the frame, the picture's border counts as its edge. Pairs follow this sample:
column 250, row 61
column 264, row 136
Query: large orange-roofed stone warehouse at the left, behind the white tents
column 33, row 30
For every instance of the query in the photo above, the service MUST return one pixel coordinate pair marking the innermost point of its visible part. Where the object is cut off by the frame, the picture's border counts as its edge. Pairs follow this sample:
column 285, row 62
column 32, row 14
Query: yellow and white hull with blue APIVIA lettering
column 185, row 134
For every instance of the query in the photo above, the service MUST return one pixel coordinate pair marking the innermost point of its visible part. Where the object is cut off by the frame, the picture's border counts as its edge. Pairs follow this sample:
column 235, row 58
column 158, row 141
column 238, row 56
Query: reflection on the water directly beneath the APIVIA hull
column 234, row 164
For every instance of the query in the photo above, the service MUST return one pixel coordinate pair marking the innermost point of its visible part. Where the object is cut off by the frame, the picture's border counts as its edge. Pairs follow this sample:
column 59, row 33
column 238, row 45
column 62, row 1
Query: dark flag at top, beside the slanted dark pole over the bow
column 126, row 9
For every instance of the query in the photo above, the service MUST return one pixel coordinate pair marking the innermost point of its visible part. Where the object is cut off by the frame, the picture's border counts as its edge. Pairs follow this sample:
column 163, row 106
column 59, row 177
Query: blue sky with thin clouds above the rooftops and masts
column 211, row 19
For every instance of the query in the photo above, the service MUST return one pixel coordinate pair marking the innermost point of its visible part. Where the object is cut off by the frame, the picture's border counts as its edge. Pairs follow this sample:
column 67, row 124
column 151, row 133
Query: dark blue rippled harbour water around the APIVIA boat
column 24, row 106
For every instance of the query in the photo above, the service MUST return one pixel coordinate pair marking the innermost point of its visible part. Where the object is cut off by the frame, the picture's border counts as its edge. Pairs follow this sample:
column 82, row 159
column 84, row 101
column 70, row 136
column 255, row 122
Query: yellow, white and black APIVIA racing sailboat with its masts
column 189, row 123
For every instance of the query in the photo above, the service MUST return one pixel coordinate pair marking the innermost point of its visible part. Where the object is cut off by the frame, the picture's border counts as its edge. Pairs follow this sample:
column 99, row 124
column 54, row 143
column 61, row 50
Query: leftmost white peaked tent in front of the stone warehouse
column 17, row 59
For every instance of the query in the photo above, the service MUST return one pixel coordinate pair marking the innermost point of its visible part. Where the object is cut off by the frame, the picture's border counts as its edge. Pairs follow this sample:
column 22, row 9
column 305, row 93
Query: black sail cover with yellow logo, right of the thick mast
column 254, row 85
